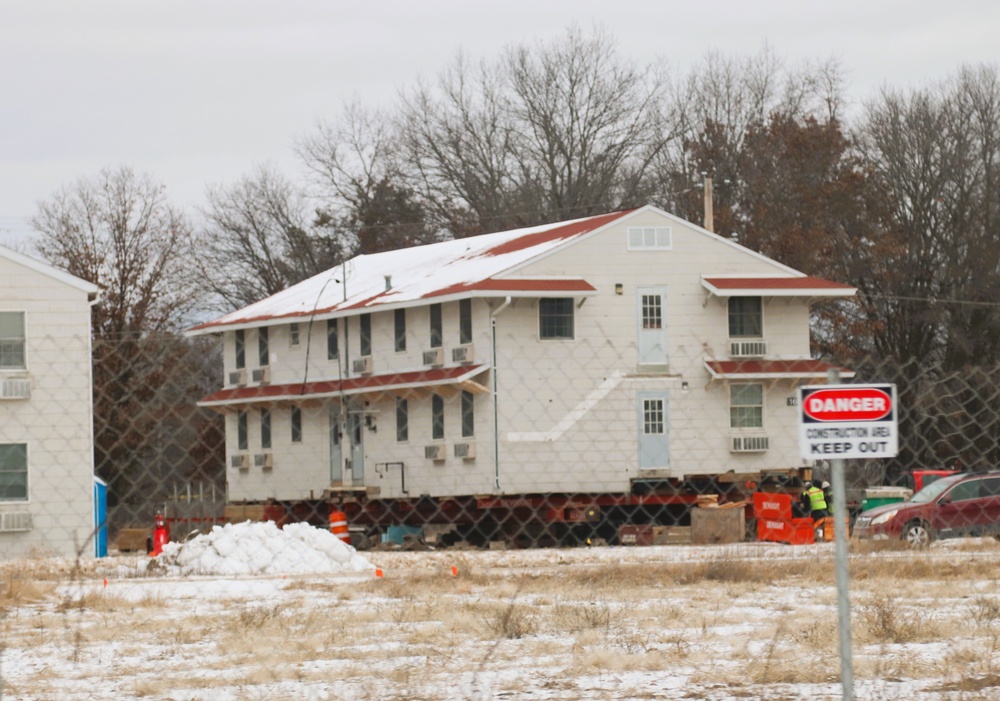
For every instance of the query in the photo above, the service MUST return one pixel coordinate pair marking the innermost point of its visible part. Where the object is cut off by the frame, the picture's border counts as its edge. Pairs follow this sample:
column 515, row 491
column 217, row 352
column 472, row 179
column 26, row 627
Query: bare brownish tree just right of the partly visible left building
column 118, row 231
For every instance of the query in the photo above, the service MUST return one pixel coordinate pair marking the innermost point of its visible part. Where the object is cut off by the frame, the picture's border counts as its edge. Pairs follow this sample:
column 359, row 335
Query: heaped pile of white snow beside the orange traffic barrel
column 262, row 548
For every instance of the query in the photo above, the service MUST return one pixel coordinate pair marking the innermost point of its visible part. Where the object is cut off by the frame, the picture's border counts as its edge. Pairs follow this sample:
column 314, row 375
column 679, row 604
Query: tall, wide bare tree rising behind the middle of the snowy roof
column 545, row 133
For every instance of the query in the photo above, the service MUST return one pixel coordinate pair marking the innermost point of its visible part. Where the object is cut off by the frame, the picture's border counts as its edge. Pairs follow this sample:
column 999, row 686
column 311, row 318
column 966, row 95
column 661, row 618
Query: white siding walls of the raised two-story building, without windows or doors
column 567, row 408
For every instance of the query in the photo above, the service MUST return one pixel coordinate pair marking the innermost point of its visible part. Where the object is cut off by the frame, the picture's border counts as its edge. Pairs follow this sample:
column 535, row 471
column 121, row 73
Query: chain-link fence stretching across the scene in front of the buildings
column 567, row 457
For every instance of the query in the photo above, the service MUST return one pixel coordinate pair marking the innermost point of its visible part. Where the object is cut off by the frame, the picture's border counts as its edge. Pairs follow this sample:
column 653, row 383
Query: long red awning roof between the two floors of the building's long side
column 350, row 386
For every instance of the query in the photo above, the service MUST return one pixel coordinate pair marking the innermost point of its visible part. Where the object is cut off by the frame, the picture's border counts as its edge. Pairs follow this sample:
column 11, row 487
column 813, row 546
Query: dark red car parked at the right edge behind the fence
column 963, row 504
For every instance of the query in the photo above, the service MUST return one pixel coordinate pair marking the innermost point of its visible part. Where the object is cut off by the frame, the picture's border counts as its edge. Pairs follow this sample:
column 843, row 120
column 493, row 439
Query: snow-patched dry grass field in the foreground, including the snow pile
column 253, row 612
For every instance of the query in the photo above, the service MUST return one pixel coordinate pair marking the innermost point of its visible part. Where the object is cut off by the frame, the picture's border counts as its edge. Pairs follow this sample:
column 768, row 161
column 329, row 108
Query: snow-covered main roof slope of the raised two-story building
column 404, row 276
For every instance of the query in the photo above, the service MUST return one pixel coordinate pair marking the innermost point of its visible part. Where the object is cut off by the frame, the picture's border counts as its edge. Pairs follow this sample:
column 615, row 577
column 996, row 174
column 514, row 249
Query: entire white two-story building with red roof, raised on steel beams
column 574, row 357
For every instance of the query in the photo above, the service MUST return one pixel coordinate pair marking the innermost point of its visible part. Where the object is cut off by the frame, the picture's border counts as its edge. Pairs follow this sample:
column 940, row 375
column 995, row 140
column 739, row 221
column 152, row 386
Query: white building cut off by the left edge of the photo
column 46, row 423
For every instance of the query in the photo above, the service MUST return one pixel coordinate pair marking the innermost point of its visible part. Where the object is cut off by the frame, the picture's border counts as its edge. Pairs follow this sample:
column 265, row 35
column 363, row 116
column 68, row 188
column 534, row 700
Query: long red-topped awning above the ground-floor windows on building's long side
column 416, row 383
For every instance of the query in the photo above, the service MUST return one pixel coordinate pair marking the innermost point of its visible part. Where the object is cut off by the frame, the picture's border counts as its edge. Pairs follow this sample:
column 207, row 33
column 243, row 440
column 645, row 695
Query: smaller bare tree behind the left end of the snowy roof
column 258, row 239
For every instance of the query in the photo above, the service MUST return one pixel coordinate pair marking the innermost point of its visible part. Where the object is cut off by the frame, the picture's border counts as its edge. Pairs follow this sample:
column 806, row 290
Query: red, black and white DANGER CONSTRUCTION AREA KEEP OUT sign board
column 848, row 421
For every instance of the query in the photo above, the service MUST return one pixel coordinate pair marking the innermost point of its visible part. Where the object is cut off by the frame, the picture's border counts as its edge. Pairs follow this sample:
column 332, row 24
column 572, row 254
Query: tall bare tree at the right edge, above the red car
column 935, row 152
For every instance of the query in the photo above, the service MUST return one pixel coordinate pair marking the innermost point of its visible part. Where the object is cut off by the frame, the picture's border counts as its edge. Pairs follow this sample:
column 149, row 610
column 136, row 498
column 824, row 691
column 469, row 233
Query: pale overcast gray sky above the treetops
column 198, row 91
